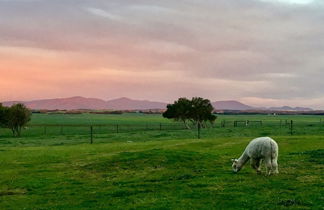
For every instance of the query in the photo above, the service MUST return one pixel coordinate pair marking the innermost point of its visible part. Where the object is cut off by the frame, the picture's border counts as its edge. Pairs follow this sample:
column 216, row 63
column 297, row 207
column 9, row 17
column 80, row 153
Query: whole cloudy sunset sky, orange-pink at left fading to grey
column 261, row 52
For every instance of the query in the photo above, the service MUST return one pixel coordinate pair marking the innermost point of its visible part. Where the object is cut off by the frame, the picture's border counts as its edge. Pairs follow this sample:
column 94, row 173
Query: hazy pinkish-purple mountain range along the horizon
column 78, row 102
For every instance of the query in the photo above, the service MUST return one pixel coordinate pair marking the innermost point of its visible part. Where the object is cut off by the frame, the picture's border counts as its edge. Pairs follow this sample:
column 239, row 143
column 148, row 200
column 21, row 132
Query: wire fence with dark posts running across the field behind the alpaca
column 222, row 128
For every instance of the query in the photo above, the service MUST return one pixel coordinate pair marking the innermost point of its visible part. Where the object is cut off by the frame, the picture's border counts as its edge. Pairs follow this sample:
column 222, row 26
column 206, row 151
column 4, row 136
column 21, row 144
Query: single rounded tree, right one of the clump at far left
column 18, row 116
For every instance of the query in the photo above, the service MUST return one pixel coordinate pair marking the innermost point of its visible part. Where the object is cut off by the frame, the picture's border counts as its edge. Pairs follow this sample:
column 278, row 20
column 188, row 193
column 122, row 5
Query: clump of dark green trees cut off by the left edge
column 14, row 117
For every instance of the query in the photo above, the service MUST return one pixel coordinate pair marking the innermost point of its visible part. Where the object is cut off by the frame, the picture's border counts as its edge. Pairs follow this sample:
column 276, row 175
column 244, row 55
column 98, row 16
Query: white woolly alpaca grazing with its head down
column 263, row 148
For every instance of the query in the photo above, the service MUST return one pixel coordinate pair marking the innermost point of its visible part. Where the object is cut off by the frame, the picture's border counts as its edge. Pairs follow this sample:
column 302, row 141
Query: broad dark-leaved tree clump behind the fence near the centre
column 197, row 111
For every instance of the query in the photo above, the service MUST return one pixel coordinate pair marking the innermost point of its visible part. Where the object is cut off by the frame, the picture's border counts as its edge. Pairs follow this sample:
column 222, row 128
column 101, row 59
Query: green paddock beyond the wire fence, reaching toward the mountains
column 73, row 129
